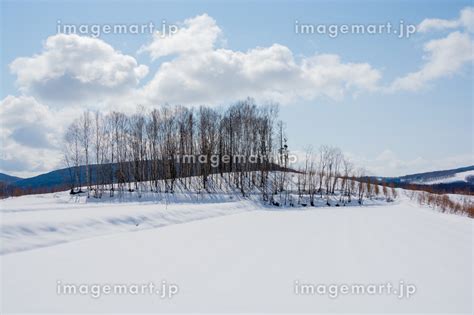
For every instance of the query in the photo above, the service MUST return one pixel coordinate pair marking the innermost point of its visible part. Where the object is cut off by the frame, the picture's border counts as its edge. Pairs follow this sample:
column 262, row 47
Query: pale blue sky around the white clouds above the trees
column 390, row 131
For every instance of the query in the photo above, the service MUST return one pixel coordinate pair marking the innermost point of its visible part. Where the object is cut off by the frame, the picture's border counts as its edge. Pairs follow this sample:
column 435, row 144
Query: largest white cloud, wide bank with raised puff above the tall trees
column 201, row 73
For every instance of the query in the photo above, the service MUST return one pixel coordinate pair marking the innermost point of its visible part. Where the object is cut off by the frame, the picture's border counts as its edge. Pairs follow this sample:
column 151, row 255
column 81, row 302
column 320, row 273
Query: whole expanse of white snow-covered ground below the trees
column 230, row 254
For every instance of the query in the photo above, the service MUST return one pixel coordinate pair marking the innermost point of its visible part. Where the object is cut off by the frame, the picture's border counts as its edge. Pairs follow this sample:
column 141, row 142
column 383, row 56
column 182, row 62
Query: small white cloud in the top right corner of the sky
column 465, row 20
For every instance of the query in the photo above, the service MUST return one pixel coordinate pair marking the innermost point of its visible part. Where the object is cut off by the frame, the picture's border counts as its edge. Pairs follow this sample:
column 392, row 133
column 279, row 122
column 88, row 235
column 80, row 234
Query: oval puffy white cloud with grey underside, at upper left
column 76, row 68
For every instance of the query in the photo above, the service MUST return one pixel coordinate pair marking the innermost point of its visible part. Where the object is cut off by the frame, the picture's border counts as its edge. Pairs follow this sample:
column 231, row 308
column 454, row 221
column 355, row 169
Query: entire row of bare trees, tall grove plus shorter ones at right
column 152, row 150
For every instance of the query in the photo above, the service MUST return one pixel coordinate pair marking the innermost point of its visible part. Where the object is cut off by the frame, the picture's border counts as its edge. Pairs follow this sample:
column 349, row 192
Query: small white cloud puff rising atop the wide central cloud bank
column 194, row 35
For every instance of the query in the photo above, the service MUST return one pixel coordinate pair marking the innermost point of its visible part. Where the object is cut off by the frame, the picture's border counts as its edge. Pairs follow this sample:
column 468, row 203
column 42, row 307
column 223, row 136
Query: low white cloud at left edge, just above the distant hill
column 30, row 133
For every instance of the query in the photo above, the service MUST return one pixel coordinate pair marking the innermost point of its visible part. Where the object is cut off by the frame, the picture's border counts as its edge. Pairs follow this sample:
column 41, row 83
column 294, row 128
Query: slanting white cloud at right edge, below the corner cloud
column 444, row 57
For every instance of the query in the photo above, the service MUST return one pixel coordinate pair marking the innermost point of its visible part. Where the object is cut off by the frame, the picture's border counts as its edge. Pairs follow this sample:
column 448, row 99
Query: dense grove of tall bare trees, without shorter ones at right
column 154, row 149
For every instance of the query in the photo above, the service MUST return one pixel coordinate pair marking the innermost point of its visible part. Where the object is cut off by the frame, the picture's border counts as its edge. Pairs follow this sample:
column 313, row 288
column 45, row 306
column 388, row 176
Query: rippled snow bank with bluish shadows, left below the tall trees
column 43, row 220
